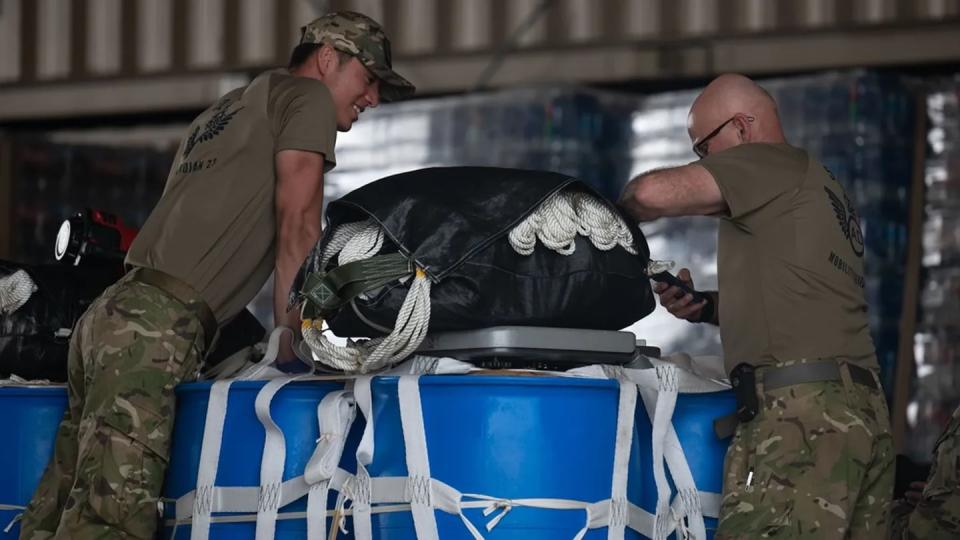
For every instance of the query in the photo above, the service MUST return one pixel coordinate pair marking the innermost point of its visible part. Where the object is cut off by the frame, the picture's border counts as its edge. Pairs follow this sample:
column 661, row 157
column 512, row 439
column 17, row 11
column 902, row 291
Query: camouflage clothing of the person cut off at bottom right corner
column 937, row 514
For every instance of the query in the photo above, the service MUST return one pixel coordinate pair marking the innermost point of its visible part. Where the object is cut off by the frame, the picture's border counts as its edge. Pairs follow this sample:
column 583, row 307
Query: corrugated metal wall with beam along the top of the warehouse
column 445, row 44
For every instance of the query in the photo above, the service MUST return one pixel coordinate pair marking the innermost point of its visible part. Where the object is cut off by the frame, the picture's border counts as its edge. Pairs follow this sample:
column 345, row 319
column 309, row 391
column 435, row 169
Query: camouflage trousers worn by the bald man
column 816, row 462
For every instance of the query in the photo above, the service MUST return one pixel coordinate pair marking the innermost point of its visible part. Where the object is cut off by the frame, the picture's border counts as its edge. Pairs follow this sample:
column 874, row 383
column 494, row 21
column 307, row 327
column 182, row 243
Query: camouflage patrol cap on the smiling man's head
column 363, row 38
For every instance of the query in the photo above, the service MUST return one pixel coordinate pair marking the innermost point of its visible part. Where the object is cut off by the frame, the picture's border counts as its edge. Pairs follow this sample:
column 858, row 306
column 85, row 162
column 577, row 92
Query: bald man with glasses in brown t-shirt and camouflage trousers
column 811, row 455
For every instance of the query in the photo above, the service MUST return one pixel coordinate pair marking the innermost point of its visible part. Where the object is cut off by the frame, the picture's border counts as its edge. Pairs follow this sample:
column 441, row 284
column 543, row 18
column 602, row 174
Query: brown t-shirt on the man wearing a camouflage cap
column 215, row 225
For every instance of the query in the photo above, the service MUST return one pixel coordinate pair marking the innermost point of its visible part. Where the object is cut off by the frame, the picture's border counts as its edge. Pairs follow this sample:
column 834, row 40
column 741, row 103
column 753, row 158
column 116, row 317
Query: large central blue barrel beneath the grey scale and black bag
column 511, row 437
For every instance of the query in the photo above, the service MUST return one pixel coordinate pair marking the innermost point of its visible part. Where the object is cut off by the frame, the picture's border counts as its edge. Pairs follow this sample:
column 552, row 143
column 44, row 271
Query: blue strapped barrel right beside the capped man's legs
column 293, row 409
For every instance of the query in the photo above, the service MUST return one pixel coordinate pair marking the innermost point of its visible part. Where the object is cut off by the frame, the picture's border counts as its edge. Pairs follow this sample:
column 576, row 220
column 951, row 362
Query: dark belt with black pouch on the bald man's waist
column 779, row 377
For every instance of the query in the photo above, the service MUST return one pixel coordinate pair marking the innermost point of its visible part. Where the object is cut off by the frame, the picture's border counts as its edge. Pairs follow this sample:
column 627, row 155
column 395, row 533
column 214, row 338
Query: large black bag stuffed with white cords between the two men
column 453, row 224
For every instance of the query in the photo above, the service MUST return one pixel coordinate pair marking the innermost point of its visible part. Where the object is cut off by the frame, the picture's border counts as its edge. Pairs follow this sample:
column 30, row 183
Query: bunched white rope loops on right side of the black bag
column 558, row 221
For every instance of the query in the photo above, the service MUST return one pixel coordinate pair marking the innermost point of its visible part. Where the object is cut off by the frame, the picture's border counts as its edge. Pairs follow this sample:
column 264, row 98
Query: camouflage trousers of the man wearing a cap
column 129, row 350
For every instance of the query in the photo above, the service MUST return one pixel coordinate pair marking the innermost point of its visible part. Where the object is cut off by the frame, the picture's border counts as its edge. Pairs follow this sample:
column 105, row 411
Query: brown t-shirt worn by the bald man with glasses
column 790, row 260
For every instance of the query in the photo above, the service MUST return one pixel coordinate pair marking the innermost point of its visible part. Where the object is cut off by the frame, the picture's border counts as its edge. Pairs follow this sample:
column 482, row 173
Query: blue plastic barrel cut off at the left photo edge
column 31, row 418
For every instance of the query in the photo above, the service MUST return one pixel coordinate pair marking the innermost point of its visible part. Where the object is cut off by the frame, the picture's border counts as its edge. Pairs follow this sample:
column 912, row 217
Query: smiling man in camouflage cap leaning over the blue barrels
column 243, row 200
